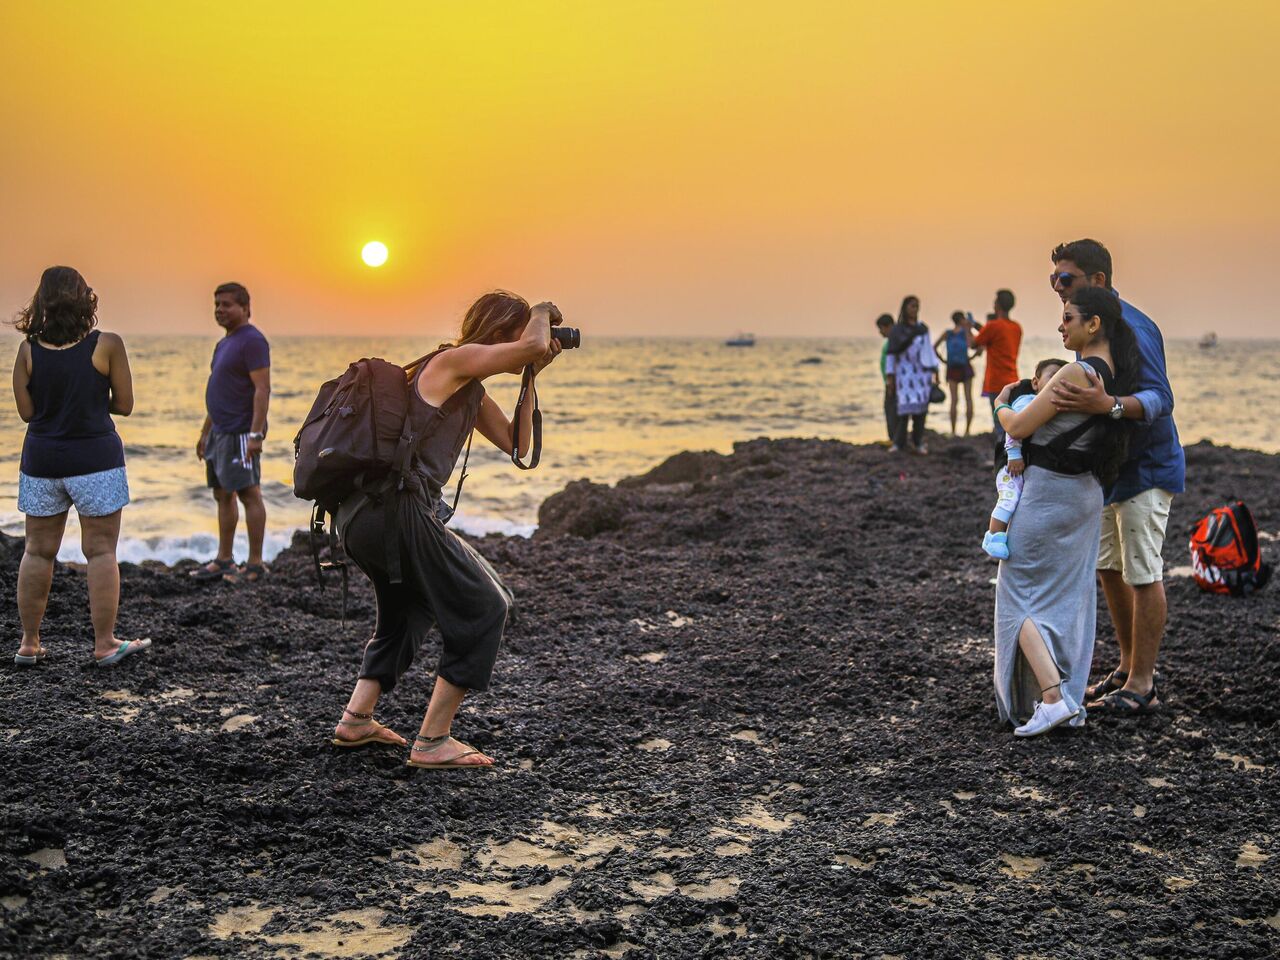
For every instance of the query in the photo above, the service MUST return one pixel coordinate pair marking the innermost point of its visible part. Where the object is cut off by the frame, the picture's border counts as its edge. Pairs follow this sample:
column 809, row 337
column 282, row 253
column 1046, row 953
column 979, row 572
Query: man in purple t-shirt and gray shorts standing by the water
column 231, row 441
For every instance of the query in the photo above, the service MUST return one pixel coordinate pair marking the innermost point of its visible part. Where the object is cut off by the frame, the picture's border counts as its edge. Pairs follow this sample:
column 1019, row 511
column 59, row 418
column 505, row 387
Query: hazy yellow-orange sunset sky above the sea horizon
column 789, row 168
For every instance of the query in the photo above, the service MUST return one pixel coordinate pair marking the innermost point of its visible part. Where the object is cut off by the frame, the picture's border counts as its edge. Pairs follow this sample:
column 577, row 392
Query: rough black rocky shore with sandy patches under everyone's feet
column 744, row 710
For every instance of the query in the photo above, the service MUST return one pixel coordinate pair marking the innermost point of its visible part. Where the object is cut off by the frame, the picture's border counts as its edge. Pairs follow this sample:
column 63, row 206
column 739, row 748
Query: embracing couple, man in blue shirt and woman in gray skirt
column 1103, row 463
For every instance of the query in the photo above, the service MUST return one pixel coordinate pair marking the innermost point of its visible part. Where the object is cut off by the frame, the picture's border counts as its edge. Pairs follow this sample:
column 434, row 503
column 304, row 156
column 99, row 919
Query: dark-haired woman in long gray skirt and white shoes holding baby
column 1046, row 595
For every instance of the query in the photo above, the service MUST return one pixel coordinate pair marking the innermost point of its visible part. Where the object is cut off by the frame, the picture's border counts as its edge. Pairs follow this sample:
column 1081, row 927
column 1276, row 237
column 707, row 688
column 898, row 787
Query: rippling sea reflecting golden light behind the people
column 614, row 409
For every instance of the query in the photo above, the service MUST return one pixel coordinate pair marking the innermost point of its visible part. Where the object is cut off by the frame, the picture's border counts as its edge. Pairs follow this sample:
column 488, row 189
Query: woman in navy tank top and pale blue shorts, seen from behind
column 67, row 382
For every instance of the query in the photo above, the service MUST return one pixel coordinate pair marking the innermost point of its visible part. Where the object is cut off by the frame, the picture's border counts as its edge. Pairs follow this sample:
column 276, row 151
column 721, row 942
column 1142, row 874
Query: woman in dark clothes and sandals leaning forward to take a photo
column 446, row 583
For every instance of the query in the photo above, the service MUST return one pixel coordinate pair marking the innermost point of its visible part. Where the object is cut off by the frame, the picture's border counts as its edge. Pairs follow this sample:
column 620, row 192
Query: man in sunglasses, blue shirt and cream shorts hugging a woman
column 1137, row 506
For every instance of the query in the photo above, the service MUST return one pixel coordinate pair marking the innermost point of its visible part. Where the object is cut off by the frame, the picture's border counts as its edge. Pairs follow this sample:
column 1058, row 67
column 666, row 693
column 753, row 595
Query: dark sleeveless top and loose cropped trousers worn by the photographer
column 446, row 583
